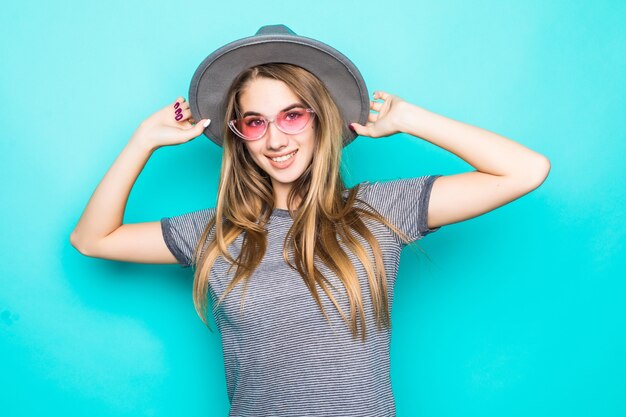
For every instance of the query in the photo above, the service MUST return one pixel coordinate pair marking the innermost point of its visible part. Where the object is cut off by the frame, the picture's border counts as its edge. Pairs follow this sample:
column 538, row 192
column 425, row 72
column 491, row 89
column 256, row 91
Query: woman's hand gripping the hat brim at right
column 386, row 121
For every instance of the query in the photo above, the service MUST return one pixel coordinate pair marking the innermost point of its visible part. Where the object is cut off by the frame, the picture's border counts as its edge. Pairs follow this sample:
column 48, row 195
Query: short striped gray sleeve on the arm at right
column 403, row 202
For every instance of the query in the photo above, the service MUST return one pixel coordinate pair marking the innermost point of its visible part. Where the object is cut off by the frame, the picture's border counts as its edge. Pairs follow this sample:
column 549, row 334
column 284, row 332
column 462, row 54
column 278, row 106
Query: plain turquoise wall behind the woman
column 520, row 312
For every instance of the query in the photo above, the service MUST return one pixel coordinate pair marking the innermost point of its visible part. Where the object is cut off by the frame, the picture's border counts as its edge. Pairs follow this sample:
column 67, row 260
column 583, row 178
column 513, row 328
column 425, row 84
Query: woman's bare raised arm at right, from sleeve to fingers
column 505, row 170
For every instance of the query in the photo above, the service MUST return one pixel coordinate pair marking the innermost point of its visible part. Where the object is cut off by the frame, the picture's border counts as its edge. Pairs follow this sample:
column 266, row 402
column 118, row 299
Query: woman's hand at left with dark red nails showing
column 172, row 125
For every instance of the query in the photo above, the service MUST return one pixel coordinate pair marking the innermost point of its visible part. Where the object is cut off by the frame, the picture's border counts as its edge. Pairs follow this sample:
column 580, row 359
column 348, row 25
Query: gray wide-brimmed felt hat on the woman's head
column 276, row 44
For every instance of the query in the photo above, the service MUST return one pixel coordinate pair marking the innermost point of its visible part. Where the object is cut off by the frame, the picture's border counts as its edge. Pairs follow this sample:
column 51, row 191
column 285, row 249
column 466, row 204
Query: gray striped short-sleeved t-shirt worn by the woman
column 281, row 356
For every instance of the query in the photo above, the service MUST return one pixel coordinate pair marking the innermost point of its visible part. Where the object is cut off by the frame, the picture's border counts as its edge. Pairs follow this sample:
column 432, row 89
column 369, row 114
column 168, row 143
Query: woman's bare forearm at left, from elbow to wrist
column 104, row 212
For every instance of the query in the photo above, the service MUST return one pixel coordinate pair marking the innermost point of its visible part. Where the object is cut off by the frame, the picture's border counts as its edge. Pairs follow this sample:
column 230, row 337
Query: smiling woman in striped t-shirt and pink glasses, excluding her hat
column 300, row 269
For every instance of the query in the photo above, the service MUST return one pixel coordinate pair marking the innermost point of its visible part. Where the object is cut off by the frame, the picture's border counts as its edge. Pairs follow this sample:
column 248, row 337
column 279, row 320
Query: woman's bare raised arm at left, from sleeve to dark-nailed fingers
column 100, row 232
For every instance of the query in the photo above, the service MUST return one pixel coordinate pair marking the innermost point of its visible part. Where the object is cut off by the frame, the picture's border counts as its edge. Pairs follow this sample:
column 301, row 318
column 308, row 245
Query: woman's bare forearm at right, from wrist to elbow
column 486, row 151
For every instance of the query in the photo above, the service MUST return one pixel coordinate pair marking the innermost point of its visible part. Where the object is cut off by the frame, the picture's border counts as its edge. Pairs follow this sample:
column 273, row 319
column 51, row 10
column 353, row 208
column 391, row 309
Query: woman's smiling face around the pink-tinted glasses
column 284, row 157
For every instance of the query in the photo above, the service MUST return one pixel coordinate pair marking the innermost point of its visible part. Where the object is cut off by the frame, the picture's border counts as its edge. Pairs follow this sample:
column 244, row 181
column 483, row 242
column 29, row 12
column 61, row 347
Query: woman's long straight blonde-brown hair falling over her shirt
column 322, row 219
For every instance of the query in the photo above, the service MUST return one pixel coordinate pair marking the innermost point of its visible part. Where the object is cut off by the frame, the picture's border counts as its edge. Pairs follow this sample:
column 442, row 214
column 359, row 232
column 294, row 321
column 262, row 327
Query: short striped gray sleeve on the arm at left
column 181, row 233
